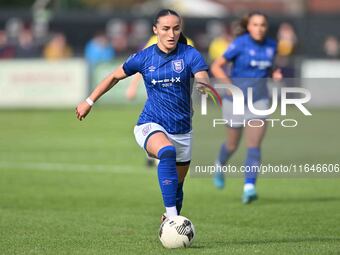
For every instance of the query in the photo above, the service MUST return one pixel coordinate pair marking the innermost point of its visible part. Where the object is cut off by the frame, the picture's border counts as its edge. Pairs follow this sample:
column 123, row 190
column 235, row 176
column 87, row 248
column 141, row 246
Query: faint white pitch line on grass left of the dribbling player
column 69, row 167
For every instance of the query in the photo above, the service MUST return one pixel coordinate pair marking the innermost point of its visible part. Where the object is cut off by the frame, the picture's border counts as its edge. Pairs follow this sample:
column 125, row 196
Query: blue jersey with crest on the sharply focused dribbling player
column 167, row 81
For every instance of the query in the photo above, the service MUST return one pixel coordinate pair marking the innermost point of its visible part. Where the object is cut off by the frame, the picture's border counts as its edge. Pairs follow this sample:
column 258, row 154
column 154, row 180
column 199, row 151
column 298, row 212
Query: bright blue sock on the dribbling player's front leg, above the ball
column 167, row 175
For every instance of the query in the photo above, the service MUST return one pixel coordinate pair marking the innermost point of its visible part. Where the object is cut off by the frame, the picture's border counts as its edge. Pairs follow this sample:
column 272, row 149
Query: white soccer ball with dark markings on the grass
column 176, row 232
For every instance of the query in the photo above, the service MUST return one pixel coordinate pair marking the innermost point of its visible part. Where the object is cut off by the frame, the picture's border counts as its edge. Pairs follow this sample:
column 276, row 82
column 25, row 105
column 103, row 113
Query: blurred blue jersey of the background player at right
column 252, row 64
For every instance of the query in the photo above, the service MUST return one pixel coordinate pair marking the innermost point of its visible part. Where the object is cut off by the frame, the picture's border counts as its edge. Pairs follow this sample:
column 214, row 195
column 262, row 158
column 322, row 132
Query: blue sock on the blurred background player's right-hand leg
column 252, row 165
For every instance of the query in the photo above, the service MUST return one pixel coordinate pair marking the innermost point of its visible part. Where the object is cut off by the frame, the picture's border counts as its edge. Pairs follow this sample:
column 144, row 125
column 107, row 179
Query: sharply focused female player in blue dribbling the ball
column 164, row 126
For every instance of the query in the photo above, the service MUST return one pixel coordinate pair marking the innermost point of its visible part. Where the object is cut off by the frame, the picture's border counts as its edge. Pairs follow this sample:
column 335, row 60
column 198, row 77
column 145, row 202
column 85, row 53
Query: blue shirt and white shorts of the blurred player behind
column 252, row 65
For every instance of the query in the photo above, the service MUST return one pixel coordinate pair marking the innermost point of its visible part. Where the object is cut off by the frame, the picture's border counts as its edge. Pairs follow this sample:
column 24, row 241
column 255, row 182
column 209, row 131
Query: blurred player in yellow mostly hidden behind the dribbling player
column 131, row 91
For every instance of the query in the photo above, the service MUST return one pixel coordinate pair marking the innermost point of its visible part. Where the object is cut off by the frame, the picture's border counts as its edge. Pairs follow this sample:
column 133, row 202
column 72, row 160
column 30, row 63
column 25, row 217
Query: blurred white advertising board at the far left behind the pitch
column 41, row 83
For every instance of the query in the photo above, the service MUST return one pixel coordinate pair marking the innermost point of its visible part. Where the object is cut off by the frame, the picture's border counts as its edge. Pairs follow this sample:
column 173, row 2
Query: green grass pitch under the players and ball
column 69, row 187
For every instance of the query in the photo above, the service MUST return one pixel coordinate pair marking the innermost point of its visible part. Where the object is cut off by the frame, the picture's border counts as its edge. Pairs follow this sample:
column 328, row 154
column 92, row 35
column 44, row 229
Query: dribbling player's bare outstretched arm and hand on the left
column 84, row 107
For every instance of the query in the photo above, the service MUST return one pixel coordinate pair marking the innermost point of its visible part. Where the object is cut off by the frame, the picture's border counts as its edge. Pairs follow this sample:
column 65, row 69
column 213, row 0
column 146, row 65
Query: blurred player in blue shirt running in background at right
column 252, row 56
